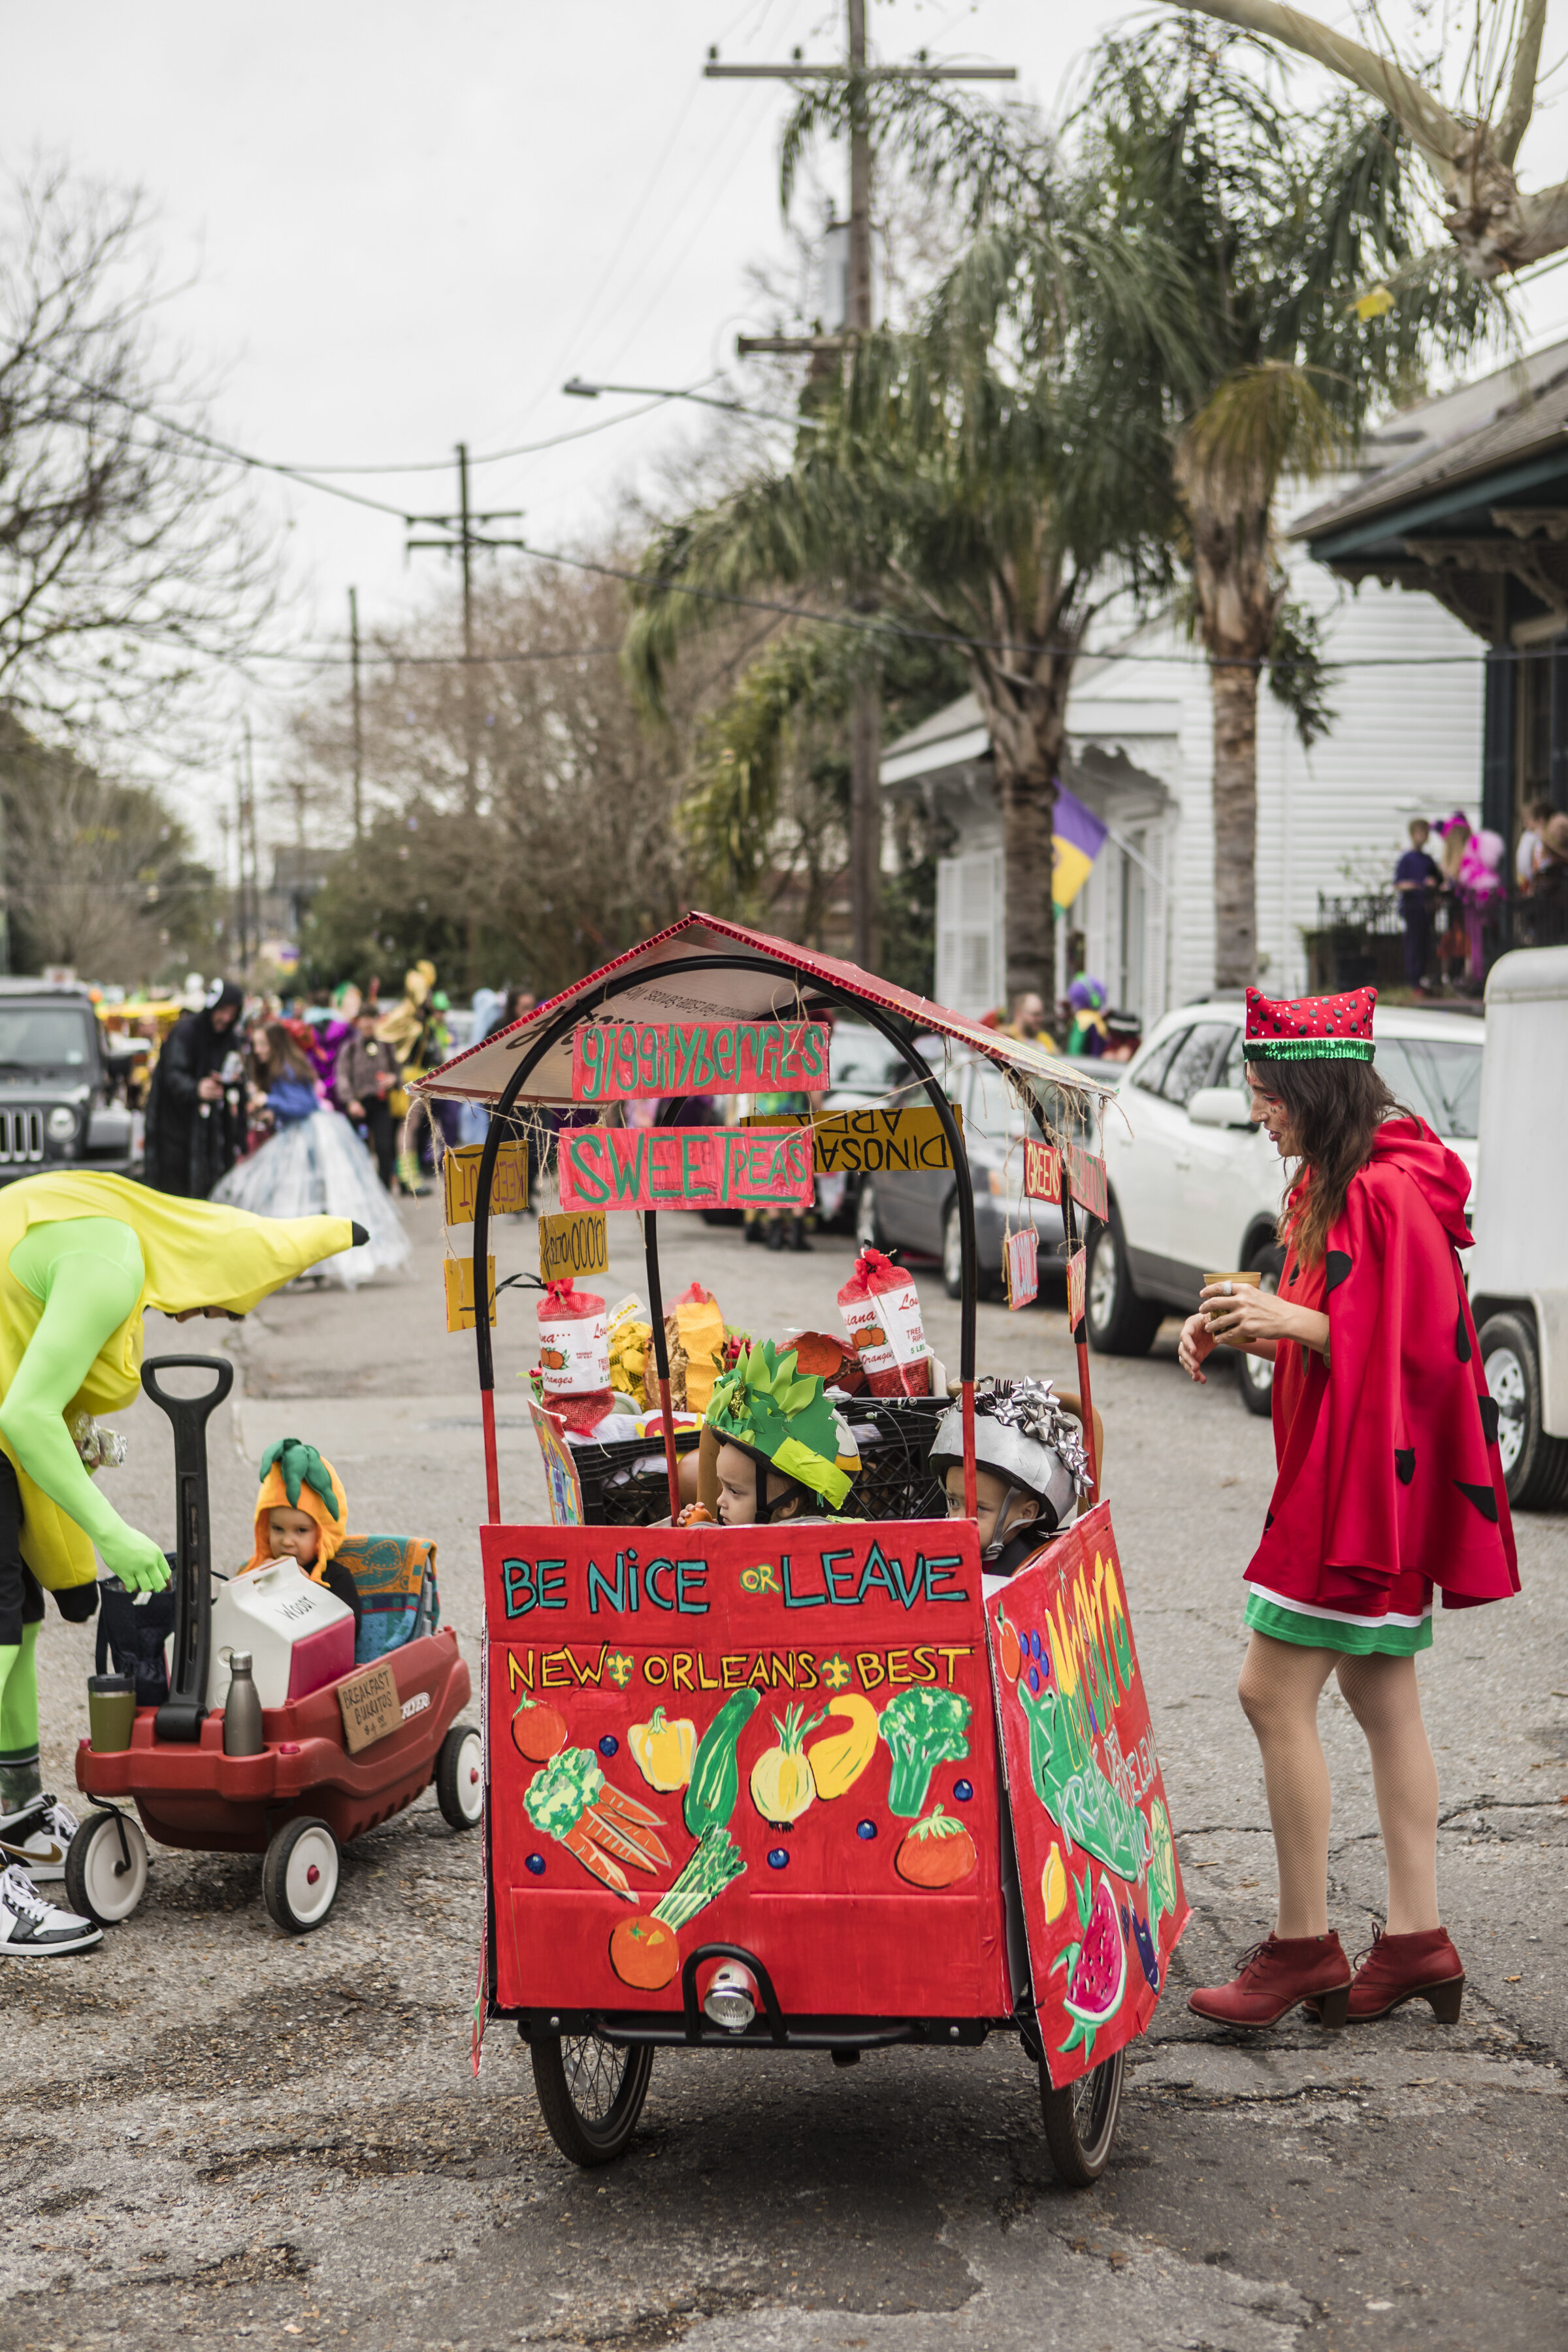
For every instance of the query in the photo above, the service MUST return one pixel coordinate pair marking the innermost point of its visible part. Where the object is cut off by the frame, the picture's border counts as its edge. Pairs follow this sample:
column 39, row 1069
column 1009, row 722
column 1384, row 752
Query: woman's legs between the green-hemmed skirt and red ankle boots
column 1280, row 1695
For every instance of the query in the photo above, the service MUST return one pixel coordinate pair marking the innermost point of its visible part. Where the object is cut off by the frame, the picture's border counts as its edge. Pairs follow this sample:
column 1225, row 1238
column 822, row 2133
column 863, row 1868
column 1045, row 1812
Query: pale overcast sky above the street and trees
column 410, row 225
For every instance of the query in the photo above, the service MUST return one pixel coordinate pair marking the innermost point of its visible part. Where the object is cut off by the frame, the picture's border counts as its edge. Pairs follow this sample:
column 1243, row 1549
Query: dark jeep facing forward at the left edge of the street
column 60, row 1100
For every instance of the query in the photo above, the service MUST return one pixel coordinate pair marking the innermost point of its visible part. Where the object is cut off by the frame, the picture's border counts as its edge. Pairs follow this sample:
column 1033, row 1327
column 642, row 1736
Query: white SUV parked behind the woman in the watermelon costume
column 1195, row 1187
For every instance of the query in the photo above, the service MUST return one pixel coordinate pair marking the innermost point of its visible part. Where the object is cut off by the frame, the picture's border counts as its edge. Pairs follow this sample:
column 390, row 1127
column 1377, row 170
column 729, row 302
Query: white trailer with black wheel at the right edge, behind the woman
column 1520, row 1264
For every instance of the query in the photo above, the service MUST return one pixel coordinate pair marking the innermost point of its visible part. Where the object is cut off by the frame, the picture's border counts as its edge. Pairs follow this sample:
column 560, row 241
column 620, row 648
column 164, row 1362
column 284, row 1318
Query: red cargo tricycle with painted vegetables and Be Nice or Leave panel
column 803, row 1784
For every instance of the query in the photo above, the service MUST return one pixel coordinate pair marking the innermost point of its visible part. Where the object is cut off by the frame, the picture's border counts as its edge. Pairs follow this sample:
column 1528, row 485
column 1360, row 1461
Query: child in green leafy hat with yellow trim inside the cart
column 784, row 1452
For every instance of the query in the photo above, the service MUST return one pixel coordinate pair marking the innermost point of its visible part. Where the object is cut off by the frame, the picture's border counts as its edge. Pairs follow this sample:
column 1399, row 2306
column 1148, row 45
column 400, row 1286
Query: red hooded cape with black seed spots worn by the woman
column 1388, row 1459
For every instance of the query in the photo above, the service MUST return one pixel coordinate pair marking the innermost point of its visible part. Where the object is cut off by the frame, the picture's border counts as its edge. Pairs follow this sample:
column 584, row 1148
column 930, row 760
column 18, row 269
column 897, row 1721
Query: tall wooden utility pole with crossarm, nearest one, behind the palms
column 866, row 704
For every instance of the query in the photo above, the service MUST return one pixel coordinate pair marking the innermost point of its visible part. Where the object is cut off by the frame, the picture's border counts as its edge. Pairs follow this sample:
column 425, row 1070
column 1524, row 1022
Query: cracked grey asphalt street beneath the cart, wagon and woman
column 217, row 2132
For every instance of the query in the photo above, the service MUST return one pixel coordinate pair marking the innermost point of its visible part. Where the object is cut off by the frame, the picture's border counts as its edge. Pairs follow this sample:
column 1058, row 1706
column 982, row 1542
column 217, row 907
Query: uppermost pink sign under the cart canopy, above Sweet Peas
column 617, row 1062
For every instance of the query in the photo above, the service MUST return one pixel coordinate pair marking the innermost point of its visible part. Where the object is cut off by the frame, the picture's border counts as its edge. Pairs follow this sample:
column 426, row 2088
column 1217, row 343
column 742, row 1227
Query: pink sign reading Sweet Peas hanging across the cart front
column 685, row 1168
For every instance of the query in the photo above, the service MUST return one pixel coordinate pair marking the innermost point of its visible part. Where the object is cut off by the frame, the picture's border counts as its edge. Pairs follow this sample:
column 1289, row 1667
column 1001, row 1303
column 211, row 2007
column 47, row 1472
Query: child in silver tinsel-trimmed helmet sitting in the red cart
column 1031, row 1471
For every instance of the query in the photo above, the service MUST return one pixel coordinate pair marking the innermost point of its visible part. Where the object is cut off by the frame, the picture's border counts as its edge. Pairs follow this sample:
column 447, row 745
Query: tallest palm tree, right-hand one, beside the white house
column 1224, row 328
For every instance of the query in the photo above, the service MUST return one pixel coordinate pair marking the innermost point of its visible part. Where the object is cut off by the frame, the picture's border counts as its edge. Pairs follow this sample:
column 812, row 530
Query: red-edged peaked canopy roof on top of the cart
column 481, row 1074
